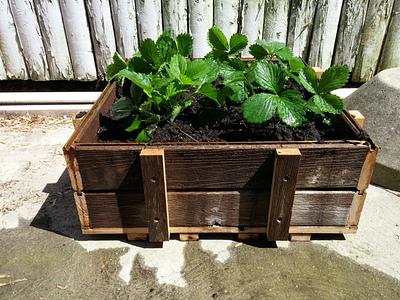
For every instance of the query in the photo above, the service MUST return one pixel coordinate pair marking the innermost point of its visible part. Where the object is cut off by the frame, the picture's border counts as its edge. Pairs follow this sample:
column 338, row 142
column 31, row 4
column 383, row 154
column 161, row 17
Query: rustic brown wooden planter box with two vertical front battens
column 282, row 189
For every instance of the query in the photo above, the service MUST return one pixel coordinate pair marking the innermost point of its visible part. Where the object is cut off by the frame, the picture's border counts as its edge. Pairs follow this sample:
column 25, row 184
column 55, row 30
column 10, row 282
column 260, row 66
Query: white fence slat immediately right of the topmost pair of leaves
column 252, row 21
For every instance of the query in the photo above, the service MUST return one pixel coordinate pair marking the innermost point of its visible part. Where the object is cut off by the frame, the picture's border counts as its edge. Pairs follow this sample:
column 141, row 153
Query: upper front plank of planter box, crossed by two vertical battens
column 321, row 166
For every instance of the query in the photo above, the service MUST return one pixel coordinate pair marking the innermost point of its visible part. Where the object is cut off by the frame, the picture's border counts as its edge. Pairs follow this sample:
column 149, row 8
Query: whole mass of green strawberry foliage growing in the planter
column 161, row 81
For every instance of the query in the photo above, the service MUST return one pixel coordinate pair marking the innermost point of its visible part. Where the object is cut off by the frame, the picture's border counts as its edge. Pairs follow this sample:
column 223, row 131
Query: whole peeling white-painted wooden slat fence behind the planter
column 75, row 39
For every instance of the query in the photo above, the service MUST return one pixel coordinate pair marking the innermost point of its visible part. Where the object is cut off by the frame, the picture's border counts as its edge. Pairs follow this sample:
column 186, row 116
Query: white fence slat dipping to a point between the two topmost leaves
column 226, row 14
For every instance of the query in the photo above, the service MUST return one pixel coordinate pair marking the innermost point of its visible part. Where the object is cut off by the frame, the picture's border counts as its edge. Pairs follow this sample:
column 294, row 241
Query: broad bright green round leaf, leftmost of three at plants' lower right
column 260, row 107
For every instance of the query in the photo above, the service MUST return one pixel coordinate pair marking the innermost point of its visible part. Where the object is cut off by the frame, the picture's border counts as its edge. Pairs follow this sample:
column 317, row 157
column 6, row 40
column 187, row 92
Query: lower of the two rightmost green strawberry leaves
column 326, row 103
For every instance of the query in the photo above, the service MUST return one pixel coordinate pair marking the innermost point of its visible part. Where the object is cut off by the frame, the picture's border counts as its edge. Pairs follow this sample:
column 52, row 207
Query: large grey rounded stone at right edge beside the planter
column 379, row 101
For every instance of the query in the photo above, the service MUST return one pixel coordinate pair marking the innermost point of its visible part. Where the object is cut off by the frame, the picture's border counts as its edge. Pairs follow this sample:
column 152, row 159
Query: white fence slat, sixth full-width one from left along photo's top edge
column 149, row 19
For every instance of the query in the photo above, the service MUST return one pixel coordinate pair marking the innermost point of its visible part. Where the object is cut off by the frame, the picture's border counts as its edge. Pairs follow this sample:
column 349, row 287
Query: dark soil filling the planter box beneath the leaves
column 191, row 126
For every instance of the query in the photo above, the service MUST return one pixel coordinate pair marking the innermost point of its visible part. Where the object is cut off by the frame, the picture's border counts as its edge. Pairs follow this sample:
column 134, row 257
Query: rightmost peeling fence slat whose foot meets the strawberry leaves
column 349, row 32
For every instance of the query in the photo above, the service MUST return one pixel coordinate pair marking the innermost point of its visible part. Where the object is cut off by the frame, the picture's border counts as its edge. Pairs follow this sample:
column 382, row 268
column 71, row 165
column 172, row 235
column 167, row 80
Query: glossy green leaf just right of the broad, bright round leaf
column 291, row 108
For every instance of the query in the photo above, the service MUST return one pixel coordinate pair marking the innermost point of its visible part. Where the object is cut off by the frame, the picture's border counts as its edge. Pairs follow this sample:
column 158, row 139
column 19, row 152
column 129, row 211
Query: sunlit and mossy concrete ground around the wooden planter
column 43, row 255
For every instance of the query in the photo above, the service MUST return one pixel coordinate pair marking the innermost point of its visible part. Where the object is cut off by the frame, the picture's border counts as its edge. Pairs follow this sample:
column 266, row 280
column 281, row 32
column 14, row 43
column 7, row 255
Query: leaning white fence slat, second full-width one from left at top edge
column 54, row 40
